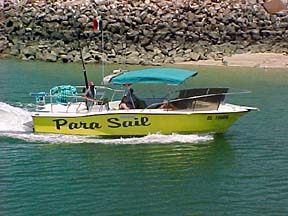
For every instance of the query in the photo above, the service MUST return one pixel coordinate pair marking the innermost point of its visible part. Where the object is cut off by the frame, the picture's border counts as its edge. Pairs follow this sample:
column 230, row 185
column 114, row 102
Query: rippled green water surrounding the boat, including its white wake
column 242, row 172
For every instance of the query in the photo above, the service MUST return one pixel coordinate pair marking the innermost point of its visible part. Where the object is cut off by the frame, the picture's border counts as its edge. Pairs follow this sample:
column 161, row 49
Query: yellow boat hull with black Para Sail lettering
column 135, row 123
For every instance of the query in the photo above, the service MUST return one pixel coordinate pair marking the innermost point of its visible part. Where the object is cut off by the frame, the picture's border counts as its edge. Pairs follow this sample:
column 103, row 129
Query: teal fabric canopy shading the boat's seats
column 171, row 76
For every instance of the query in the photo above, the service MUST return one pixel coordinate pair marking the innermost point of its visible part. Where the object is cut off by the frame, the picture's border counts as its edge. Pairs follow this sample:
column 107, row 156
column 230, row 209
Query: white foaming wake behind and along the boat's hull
column 17, row 123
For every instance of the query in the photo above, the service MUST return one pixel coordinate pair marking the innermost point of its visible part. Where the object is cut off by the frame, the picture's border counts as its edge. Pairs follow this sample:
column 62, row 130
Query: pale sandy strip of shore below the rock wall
column 261, row 60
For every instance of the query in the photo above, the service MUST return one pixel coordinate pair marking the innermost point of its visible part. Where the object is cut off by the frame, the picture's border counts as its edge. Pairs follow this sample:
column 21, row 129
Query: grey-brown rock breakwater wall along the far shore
column 139, row 32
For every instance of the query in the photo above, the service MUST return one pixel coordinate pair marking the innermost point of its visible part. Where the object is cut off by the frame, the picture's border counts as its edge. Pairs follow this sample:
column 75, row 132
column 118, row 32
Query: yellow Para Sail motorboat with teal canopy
column 198, row 110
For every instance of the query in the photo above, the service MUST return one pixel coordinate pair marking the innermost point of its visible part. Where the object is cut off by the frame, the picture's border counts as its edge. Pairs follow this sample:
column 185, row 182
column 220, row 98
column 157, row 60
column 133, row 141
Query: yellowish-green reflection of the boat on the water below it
column 170, row 158
